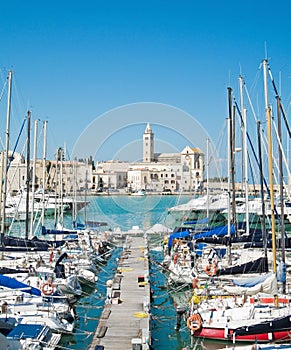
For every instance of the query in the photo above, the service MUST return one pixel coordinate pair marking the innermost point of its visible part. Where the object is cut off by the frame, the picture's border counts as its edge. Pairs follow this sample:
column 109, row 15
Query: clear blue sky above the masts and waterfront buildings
column 75, row 61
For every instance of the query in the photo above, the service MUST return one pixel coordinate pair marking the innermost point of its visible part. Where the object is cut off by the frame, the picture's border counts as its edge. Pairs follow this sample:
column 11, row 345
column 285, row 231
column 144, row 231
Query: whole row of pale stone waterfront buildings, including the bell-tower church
column 157, row 172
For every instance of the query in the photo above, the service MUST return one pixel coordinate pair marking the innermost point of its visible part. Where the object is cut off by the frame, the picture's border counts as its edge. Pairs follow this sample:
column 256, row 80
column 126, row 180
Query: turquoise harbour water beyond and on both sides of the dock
column 125, row 212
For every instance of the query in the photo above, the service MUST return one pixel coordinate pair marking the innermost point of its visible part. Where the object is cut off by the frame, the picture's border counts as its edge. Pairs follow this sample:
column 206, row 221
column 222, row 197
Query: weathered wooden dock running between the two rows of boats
column 125, row 320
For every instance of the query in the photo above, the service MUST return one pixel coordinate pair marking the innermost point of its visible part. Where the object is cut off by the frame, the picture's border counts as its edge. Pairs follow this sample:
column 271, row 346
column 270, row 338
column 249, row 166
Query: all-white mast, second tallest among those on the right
column 245, row 155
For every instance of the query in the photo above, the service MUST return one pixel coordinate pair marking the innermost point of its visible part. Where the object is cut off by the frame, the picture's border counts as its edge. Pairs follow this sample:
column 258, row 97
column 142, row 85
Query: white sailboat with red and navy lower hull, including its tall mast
column 238, row 317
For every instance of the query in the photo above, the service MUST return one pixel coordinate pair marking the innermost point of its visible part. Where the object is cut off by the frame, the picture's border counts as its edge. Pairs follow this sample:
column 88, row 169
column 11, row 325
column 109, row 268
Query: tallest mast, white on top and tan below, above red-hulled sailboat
column 270, row 159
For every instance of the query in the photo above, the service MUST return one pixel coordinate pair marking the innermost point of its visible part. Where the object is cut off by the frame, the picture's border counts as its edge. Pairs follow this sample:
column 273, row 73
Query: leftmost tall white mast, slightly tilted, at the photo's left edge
column 5, row 155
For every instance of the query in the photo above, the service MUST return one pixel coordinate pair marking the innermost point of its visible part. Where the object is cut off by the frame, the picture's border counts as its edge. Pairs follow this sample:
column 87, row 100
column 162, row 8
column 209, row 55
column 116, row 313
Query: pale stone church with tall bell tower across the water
column 166, row 172
